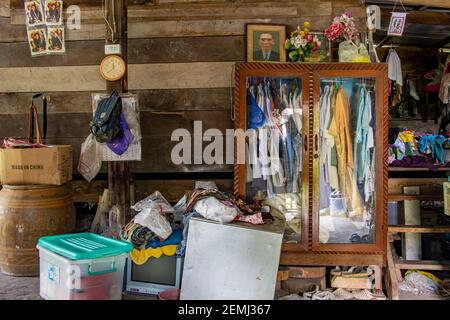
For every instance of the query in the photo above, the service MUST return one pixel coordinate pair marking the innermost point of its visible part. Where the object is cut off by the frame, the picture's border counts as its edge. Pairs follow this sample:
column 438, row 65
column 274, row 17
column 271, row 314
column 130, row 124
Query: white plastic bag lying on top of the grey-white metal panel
column 213, row 209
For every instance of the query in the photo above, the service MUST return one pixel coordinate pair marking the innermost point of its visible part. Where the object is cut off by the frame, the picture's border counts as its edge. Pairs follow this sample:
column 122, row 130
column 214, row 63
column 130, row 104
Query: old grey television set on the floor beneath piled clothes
column 154, row 276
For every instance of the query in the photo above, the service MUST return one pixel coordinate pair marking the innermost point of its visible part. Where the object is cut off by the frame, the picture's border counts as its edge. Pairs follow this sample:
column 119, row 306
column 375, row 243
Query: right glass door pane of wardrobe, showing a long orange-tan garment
column 346, row 158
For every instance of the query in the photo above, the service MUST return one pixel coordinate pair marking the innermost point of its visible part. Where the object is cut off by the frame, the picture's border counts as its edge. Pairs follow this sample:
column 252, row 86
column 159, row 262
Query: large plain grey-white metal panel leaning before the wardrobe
column 231, row 261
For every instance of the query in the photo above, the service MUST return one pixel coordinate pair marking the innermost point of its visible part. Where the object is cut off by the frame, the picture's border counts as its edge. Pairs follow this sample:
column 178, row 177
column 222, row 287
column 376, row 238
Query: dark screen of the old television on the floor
column 158, row 271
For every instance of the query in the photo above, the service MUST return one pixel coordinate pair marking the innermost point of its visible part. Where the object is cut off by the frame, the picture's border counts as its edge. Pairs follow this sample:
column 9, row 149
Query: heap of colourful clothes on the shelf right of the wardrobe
column 417, row 149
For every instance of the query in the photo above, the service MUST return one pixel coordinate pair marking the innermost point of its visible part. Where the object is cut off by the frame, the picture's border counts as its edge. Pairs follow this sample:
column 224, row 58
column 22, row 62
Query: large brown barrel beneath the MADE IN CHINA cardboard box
column 26, row 214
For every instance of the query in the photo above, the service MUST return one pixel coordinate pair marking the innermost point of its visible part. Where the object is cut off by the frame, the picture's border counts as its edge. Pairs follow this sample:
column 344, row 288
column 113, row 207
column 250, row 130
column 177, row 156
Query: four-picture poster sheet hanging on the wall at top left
column 45, row 27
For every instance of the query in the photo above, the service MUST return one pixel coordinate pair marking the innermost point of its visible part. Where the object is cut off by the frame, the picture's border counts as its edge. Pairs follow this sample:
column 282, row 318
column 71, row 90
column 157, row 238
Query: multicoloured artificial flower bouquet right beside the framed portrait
column 302, row 45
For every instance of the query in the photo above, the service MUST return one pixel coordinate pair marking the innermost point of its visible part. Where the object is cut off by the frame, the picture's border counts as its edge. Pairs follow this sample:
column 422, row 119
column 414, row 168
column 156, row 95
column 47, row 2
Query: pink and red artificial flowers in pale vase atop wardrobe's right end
column 343, row 29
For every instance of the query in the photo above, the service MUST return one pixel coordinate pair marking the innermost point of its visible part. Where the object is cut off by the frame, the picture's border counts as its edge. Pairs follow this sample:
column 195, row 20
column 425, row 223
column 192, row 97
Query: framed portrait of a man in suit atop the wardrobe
column 265, row 43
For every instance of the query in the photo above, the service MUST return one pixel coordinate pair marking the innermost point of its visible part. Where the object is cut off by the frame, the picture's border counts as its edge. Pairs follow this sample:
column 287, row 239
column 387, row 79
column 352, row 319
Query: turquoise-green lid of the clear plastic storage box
column 81, row 246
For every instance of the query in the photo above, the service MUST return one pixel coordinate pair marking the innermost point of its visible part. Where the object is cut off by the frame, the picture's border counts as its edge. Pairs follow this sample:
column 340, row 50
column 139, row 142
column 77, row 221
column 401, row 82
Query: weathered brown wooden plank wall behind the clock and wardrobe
column 181, row 54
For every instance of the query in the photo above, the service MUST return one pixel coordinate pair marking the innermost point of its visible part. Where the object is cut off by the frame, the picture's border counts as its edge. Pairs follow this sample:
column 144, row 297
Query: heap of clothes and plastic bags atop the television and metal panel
column 158, row 228
